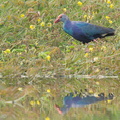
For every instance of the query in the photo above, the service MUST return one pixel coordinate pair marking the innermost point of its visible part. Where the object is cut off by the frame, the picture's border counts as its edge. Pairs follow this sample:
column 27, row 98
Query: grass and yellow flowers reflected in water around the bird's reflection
column 39, row 99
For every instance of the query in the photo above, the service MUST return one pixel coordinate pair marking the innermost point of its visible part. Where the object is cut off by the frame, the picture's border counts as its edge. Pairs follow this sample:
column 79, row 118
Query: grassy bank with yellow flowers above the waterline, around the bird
column 30, row 47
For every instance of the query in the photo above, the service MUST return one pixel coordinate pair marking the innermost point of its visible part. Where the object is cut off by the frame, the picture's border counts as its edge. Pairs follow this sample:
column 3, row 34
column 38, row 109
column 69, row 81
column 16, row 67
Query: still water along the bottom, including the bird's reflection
column 42, row 99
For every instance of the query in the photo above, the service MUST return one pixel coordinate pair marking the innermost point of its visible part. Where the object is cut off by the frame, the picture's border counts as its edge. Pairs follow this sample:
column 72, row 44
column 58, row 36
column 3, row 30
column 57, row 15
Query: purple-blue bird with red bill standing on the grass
column 82, row 31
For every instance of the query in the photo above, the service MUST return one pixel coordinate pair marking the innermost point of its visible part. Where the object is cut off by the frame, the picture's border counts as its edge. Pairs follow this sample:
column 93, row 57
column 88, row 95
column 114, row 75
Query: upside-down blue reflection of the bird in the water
column 74, row 100
